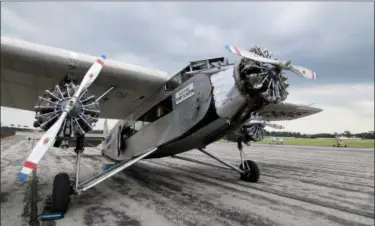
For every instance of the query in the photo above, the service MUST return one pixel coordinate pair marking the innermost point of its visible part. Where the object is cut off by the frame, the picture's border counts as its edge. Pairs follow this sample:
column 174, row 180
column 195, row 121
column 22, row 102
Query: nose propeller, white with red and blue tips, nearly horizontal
column 301, row 71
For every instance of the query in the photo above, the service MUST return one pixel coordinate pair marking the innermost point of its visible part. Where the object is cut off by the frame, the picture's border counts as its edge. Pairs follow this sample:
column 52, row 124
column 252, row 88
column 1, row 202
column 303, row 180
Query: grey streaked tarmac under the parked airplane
column 298, row 186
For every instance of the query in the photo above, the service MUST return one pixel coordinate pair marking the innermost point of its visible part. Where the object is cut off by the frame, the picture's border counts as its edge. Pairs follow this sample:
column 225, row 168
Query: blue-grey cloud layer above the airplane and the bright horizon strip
column 334, row 39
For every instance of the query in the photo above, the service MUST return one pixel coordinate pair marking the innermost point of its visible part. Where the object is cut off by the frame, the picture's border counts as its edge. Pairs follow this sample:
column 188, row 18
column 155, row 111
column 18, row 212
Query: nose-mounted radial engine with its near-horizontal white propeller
column 259, row 78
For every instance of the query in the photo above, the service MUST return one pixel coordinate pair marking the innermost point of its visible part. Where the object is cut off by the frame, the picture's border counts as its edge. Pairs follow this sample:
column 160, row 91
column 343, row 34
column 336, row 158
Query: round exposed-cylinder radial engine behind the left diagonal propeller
column 79, row 121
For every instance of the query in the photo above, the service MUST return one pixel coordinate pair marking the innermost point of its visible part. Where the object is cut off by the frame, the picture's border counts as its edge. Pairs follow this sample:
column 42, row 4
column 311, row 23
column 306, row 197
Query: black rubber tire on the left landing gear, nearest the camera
column 60, row 193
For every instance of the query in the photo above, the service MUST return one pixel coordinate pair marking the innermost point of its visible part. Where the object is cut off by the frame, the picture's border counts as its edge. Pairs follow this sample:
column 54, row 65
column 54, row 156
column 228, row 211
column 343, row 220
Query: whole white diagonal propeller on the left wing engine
column 49, row 137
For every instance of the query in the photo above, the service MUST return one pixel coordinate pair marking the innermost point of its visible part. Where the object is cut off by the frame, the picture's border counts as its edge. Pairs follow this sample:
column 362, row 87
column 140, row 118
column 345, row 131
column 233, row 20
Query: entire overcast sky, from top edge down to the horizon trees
column 334, row 39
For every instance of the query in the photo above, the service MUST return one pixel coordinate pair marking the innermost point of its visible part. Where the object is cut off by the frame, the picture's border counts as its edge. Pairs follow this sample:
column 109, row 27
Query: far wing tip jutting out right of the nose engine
column 286, row 111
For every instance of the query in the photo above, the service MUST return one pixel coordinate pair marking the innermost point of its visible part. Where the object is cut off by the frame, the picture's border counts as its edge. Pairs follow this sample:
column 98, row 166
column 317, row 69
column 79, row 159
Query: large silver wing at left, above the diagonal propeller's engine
column 28, row 69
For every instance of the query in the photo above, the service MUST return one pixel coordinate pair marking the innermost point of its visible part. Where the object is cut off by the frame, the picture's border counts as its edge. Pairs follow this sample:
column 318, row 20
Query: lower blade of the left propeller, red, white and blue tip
column 45, row 142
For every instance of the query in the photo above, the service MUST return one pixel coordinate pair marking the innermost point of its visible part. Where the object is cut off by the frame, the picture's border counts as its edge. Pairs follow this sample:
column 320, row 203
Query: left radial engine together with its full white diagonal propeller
column 66, row 108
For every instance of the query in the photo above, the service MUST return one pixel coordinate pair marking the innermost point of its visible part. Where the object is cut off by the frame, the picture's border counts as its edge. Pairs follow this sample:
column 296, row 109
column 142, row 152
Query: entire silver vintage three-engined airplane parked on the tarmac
column 159, row 115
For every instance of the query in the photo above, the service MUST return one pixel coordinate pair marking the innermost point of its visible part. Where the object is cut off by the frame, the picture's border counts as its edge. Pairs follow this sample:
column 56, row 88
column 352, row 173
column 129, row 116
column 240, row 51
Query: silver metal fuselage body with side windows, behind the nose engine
column 193, row 115
